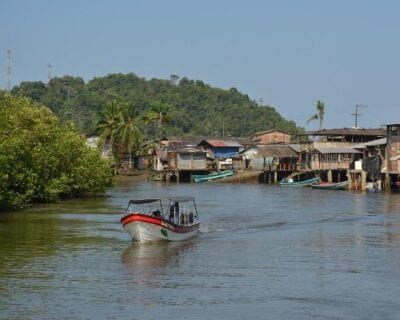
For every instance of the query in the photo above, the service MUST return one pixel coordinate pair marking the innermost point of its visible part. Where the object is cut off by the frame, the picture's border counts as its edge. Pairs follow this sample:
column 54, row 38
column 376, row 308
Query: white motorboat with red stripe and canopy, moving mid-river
column 146, row 220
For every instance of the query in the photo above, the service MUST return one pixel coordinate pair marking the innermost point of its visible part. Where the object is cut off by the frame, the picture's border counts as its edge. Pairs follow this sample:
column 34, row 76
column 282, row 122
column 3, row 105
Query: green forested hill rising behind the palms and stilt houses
column 195, row 108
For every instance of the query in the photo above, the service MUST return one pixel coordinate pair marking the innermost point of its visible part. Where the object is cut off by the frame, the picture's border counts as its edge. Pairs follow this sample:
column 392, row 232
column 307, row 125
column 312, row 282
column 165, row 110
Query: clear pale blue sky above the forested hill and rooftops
column 286, row 54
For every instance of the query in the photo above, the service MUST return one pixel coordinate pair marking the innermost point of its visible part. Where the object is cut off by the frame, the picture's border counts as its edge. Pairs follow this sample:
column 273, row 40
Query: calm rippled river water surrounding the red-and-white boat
column 264, row 252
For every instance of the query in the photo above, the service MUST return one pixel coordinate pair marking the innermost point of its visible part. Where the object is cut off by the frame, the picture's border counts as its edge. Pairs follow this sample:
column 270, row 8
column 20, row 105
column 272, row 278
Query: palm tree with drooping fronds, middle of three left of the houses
column 128, row 132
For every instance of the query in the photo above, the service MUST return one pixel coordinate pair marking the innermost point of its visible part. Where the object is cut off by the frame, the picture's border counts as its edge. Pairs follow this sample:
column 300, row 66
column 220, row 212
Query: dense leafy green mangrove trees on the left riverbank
column 42, row 160
